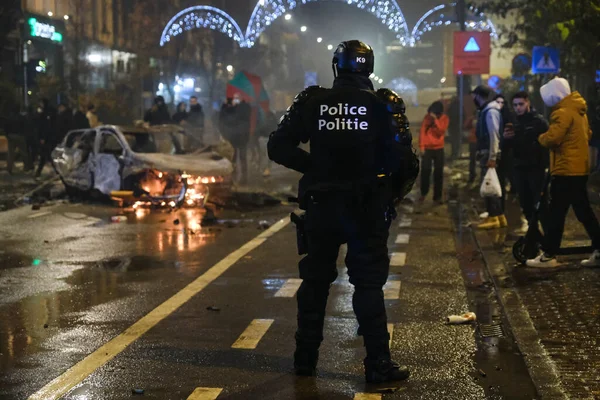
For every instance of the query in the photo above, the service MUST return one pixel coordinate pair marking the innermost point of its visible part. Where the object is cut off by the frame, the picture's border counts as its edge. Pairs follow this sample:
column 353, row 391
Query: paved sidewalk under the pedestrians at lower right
column 555, row 314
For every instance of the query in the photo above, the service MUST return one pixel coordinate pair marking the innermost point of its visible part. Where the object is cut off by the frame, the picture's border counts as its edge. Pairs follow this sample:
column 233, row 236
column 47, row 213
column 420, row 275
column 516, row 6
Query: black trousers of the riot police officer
column 332, row 220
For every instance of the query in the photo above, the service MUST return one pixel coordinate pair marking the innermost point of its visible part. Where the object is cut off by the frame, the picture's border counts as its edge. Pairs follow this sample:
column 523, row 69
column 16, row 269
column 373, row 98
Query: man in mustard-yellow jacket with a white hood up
column 567, row 139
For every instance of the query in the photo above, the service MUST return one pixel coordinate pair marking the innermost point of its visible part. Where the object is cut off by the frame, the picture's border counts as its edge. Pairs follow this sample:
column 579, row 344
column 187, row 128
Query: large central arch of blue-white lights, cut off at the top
column 267, row 11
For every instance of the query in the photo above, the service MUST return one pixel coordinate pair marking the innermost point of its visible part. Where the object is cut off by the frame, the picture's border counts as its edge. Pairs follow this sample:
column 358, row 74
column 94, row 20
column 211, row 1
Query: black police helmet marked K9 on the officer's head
column 353, row 57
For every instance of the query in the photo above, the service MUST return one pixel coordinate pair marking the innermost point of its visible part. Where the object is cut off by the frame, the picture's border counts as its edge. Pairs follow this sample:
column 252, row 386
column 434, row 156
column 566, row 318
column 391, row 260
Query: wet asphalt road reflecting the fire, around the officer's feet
column 71, row 281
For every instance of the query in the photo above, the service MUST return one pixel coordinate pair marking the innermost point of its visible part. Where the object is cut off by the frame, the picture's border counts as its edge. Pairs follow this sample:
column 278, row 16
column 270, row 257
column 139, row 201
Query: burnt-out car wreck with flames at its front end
column 155, row 166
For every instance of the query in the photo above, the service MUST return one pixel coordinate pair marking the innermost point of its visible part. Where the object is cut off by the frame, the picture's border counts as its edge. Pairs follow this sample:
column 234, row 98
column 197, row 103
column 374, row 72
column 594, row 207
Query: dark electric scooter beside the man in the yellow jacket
column 529, row 246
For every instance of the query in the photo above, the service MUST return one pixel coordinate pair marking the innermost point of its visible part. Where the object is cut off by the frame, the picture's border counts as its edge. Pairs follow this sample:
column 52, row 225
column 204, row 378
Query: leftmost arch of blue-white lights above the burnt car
column 202, row 17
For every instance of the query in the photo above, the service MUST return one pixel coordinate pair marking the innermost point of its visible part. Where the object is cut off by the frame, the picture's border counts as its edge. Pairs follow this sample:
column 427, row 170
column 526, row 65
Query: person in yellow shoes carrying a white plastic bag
column 489, row 128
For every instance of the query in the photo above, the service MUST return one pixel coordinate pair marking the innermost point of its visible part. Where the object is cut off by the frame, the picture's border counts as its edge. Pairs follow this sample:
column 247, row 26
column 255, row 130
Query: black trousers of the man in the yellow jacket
column 567, row 191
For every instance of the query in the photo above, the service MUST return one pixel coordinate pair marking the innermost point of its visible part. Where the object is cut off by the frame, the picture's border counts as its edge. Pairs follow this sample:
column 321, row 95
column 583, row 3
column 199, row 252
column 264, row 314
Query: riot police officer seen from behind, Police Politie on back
column 360, row 161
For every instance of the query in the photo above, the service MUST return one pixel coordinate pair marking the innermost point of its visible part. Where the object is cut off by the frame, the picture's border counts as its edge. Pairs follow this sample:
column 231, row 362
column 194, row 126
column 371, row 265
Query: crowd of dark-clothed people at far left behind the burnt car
column 32, row 135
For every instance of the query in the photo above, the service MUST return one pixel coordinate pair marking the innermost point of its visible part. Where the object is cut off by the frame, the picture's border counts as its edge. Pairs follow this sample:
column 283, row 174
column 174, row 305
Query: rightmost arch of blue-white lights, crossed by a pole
column 444, row 15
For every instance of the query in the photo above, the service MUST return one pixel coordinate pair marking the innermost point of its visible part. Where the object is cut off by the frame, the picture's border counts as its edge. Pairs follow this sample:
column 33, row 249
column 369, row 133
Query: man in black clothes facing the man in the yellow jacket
column 530, row 159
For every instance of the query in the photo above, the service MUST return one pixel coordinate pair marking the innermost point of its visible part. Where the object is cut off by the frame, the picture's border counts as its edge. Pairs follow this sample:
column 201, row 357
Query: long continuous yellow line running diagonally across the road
column 77, row 373
